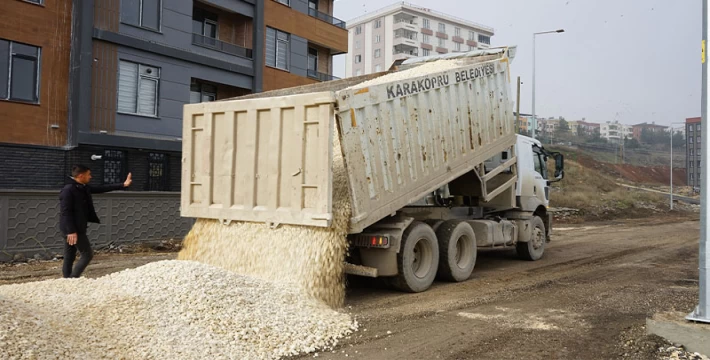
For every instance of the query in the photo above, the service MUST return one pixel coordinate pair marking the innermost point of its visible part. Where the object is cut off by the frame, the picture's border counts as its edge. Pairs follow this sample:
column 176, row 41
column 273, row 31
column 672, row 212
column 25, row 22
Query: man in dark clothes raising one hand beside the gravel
column 76, row 212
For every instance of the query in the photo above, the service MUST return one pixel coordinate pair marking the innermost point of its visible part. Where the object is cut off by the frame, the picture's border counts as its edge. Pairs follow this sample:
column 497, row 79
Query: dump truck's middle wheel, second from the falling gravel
column 457, row 250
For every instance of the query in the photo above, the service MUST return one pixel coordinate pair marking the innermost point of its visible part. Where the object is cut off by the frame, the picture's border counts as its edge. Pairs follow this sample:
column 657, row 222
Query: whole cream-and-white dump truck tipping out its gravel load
column 435, row 168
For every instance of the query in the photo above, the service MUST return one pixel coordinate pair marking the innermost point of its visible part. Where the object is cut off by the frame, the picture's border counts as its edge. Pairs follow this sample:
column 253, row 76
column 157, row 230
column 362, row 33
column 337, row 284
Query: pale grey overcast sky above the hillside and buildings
column 628, row 60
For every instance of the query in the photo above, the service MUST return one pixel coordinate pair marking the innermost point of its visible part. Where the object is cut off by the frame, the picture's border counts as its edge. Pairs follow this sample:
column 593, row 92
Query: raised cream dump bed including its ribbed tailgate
column 268, row 157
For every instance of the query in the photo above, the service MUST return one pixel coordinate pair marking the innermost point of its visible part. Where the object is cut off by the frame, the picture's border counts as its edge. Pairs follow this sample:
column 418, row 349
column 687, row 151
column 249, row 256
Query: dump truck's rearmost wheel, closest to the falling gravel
column 418, row 259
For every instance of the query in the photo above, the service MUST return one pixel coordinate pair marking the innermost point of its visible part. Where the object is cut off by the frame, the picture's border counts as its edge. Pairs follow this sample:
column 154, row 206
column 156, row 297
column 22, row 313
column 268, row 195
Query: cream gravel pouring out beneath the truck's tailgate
column 308, row 258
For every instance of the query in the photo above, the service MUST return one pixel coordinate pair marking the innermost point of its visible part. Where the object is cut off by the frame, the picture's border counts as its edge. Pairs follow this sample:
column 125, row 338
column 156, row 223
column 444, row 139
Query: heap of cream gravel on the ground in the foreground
column 164, row 310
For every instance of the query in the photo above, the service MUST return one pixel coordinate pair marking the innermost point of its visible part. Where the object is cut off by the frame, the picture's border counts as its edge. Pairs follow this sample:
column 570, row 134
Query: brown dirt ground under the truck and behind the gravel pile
column 588, row 298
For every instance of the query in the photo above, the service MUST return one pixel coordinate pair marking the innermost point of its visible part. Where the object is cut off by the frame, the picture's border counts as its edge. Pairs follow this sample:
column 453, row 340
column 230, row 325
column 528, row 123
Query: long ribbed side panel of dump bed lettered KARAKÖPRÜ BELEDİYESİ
column 403, row 139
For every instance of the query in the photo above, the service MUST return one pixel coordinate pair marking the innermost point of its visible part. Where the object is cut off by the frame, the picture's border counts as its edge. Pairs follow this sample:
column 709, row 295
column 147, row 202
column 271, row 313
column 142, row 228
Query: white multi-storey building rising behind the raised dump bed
column 402, row 30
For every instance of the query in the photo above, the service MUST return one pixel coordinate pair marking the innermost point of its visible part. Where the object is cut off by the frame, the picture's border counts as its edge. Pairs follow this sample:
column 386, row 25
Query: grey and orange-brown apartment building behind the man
column 109, row 82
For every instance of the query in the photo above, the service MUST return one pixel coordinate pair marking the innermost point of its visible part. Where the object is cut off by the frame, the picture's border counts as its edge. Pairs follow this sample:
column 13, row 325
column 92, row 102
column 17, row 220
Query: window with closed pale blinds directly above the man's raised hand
column 138, row 88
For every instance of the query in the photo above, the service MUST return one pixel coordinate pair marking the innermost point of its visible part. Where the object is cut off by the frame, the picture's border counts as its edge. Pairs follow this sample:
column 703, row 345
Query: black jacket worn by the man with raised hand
column 77, row 207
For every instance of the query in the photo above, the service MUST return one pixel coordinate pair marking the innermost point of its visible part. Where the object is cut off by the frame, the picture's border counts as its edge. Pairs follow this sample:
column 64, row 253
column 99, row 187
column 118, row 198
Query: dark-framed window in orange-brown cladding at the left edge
column 19, row 71
